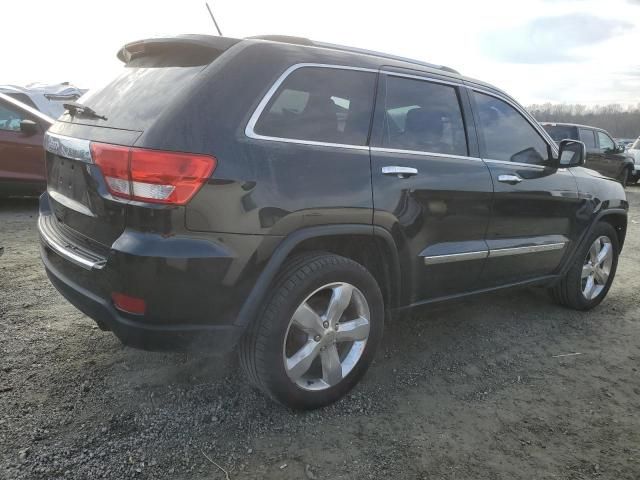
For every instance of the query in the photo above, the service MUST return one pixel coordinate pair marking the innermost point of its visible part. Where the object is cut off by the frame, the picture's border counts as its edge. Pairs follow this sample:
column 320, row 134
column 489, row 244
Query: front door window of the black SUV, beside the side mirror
column 507, row 134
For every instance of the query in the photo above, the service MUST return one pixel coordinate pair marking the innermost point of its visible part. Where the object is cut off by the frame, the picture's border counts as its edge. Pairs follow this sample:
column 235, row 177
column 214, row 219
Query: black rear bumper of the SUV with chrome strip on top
column 193, row 284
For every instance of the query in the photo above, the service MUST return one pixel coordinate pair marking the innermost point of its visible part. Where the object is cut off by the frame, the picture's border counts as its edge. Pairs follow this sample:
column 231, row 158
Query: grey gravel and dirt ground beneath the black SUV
column 478, row 389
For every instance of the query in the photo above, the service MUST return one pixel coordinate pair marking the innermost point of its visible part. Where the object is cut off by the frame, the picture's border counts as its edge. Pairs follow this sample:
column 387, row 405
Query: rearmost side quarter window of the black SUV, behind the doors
column 322, row 105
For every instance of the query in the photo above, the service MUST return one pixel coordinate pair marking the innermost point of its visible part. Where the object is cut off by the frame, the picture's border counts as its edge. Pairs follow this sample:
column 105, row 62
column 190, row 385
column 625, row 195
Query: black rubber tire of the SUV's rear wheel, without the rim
column 261, row 350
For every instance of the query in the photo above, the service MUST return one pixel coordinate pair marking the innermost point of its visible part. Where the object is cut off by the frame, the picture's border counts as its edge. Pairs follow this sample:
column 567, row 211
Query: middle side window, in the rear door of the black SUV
column 423, row 116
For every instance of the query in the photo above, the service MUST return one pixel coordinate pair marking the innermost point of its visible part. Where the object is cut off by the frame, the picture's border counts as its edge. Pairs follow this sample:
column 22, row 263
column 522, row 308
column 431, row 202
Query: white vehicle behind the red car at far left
column 48, row 99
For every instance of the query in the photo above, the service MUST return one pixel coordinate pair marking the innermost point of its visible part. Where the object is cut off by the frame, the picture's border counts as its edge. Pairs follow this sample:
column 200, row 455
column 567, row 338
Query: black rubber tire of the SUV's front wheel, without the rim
column 568, row 291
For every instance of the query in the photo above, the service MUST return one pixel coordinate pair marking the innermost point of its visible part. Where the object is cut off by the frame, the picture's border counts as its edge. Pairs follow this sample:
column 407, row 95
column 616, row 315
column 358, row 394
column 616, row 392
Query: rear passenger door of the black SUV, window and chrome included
column 430, row 189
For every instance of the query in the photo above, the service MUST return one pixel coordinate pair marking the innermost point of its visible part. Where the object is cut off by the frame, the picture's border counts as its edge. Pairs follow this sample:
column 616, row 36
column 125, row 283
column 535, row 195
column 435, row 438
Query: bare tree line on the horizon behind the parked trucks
column 620, row 121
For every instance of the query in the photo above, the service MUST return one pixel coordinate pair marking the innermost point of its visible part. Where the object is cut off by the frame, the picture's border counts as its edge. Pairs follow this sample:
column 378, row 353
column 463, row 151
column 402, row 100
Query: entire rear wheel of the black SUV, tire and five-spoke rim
column 276, row 339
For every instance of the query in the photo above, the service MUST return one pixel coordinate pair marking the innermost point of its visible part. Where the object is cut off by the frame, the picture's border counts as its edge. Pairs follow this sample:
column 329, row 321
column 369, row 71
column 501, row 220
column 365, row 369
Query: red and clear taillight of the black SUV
column 152, row 175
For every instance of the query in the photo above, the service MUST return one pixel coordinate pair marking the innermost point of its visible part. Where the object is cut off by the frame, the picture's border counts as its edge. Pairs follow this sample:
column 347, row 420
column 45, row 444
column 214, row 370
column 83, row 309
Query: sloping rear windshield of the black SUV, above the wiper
column 134, row 99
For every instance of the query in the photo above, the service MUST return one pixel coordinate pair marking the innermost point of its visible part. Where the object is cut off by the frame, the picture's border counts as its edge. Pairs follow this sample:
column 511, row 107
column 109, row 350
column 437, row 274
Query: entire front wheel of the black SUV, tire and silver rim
column 588, row 280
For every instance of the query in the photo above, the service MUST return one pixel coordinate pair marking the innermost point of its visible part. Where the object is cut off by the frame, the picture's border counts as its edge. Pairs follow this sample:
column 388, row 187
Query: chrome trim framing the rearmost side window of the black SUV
column 249, row 130
